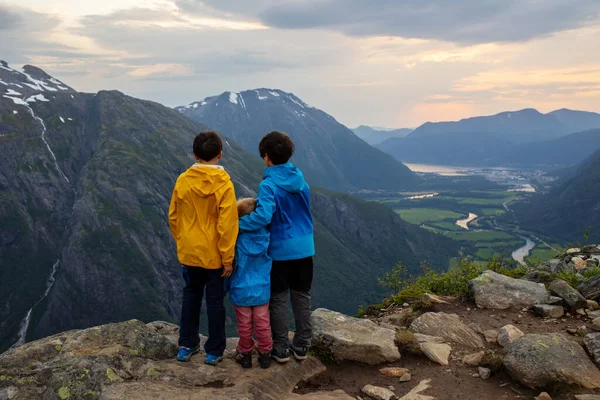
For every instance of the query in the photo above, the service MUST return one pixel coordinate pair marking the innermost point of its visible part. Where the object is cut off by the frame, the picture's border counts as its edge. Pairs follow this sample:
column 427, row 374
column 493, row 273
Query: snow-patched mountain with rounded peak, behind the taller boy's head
column 328, row 153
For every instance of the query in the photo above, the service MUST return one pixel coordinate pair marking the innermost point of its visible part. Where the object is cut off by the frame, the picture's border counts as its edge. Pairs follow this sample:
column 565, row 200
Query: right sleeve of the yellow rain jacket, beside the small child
column 227, row 224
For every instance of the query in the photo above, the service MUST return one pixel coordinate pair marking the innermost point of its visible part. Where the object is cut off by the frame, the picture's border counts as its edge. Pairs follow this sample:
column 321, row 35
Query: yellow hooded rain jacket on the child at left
column 203, row 217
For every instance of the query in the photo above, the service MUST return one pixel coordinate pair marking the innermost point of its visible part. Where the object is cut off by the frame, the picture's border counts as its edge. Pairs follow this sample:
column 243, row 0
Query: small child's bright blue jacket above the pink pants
column 250, row 283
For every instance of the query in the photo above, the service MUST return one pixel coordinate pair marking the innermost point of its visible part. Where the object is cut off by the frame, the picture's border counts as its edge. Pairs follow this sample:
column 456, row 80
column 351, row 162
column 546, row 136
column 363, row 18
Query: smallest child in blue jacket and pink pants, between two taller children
column 250, row 289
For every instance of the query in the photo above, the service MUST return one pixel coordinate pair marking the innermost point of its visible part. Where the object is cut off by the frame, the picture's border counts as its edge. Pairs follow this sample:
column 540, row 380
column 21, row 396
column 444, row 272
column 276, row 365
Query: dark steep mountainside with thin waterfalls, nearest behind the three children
column 85, row 184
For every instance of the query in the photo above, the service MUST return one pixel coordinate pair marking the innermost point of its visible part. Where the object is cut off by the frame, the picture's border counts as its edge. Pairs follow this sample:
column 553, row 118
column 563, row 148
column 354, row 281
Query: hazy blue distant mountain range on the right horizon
column 521, row 138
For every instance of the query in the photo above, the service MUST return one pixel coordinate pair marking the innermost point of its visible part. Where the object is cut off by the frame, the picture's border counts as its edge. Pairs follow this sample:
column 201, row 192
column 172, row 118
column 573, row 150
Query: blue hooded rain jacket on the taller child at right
column 283, row 205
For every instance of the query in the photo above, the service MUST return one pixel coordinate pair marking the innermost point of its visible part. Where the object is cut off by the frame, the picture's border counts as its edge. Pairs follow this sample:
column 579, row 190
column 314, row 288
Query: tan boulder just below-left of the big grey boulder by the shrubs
column 447, row 326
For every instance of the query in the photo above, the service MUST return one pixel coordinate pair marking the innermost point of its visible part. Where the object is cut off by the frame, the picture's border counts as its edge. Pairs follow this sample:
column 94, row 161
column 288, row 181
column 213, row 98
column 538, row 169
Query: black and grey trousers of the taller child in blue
column 295, row 277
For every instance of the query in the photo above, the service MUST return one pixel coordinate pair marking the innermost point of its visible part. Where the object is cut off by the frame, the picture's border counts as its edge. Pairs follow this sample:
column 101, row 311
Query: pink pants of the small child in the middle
column 259, row 317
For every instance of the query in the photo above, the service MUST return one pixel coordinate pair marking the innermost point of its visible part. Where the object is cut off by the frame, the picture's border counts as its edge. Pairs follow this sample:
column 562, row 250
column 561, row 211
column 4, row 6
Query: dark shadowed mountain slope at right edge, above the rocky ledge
column 569, row 208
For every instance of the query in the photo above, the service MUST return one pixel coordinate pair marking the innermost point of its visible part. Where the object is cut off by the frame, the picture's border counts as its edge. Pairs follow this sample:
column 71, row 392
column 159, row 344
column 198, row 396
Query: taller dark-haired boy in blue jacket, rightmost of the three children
column 283, row 205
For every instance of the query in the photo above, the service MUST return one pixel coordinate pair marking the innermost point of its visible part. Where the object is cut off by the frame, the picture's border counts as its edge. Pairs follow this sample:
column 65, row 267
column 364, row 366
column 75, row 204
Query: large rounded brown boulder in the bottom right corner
column 541, row 360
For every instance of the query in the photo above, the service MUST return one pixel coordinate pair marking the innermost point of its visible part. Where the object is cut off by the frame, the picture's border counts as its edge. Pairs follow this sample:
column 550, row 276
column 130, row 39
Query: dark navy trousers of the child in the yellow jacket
column 196, row 280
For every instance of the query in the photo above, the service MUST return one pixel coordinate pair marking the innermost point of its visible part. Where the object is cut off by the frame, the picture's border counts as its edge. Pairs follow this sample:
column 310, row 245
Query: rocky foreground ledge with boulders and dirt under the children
column 515, row 340
